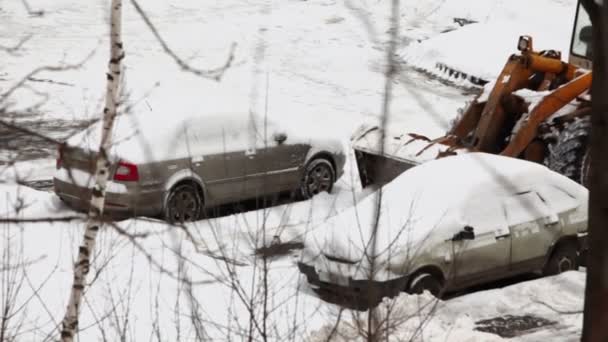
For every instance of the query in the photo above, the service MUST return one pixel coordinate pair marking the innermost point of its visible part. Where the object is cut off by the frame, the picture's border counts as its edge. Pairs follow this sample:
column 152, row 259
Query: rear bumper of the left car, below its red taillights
column 136, row 203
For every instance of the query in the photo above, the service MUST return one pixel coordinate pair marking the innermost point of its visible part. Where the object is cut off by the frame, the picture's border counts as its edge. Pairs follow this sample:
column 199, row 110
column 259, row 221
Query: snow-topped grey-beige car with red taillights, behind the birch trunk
column 176, row 165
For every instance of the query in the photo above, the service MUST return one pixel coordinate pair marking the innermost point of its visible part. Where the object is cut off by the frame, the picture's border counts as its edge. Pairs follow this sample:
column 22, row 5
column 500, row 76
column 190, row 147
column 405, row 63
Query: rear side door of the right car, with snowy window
column 534, row 227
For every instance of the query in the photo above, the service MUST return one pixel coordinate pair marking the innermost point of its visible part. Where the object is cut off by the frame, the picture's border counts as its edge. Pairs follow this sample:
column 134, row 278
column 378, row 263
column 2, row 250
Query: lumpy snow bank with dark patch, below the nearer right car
column 422, row 318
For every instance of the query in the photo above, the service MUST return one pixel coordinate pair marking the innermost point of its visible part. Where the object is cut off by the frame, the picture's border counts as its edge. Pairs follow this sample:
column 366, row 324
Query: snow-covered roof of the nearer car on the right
column 455, row 179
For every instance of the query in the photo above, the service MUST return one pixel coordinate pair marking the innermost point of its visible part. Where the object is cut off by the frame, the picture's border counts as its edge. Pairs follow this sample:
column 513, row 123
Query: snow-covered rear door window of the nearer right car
column 525, row 207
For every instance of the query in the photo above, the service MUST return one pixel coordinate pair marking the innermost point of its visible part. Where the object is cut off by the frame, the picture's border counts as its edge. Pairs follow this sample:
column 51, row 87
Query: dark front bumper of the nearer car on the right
column 349, row 292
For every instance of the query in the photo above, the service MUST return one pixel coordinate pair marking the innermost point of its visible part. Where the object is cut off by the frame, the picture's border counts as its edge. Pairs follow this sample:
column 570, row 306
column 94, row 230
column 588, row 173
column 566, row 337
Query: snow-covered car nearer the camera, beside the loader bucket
column 449, row 224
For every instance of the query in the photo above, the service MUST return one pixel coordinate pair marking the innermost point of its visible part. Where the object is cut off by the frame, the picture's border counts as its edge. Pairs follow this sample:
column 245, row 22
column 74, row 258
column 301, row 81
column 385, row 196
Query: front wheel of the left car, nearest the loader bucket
column 319, row 175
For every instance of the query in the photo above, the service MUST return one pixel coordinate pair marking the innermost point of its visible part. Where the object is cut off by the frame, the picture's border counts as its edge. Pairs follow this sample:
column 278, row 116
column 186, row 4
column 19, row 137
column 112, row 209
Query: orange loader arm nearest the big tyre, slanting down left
column 546, row 107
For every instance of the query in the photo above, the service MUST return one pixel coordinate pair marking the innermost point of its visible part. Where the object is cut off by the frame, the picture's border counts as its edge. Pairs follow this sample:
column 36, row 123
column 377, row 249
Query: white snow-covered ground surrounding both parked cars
column 320, row 65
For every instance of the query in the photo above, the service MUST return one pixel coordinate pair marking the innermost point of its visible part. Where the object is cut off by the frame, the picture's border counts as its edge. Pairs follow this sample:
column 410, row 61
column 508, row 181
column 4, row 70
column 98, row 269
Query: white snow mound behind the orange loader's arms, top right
column 481, row 49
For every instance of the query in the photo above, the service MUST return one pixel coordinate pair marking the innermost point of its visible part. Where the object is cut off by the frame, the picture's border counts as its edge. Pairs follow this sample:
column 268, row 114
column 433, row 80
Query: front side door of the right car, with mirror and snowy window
column 486, row 256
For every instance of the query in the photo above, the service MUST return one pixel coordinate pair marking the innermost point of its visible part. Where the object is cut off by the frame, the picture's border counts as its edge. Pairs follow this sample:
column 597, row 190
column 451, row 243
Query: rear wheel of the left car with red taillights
column 183, row 204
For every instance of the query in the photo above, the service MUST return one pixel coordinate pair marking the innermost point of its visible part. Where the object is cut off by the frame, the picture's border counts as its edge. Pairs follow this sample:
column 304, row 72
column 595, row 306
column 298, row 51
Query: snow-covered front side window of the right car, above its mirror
column 486, row 215
